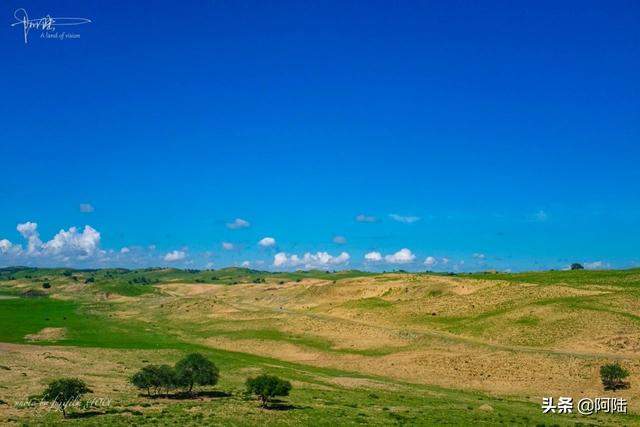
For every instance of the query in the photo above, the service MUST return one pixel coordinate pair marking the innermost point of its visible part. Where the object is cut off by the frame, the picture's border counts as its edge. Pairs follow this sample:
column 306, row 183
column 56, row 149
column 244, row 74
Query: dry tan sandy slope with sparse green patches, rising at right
column 505, row 338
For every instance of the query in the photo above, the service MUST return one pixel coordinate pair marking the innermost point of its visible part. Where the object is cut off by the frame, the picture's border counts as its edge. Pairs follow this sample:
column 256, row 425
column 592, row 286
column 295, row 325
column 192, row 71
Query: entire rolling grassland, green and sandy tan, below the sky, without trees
column 360, row 348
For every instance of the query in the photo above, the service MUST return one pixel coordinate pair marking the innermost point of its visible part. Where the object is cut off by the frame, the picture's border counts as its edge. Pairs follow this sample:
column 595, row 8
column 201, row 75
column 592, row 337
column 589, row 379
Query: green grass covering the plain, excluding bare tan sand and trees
column 321, row 395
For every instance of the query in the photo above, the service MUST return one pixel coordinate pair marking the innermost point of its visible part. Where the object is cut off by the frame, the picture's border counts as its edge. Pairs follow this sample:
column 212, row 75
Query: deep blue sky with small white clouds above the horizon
column 475, row 136
